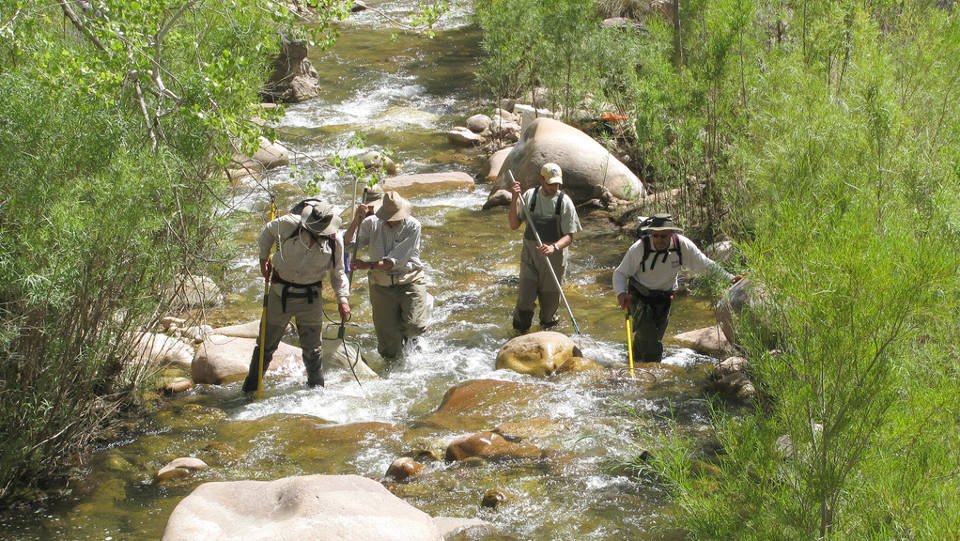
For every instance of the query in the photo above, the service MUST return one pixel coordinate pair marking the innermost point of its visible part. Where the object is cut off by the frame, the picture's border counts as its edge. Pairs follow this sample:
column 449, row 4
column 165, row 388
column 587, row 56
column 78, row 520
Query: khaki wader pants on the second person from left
column 399, row 312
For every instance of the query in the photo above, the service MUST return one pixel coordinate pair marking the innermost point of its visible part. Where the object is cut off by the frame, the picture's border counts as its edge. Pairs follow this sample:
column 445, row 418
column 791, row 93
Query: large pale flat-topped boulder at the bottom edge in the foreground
column 308, row 508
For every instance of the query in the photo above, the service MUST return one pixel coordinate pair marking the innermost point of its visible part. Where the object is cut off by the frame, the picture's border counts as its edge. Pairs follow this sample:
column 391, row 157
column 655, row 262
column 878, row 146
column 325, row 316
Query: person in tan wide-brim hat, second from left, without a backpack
column 398, row 292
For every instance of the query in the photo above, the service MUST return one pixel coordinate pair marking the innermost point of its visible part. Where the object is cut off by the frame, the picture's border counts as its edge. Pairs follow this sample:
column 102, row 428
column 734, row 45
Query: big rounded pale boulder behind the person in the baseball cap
column 589, row 170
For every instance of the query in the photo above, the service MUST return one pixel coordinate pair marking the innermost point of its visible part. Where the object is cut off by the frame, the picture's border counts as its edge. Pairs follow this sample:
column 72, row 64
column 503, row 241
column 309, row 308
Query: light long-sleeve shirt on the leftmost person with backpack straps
column 301, row 261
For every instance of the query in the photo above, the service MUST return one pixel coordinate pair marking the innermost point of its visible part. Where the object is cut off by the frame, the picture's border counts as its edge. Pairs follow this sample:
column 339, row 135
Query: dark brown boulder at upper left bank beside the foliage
column 294, row 79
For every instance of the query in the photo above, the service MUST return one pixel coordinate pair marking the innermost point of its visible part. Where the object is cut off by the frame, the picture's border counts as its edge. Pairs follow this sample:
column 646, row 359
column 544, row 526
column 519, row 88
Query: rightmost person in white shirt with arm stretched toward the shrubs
column 647, row 277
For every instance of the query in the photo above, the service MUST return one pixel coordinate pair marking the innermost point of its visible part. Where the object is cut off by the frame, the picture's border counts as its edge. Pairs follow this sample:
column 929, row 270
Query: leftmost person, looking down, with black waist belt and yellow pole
column 308, row 245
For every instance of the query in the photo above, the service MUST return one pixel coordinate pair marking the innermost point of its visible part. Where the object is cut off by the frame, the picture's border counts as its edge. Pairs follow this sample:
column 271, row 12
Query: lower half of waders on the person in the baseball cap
column 537, row 284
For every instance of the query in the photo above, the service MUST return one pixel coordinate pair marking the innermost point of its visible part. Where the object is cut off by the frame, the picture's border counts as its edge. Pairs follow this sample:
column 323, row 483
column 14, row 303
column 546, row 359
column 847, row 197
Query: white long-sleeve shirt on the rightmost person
column 661, row 275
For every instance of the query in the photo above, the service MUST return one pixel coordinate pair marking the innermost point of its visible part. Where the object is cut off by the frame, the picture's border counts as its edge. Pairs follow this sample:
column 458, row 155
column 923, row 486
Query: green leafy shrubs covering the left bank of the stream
column 117, row 116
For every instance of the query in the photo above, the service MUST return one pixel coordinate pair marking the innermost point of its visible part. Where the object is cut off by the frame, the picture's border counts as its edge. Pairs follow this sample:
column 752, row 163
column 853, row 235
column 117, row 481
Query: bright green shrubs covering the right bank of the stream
column 824, row 137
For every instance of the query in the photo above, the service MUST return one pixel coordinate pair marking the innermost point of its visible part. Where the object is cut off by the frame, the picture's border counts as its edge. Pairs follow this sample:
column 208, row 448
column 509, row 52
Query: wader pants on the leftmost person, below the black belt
column 309, row 320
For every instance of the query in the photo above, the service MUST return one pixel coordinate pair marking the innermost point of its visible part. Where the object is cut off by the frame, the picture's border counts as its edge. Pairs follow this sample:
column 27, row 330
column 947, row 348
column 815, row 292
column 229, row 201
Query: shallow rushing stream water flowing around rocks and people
column 403, row 94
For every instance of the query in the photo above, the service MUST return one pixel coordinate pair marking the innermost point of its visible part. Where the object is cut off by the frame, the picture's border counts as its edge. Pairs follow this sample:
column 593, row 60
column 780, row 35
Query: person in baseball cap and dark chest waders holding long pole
column 556, row 221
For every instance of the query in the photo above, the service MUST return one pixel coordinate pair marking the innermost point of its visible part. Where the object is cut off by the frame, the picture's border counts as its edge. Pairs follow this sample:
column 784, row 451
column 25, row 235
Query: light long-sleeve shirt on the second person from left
column 399, row 245
